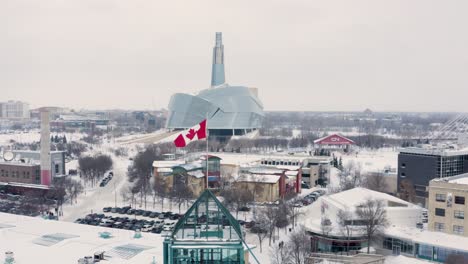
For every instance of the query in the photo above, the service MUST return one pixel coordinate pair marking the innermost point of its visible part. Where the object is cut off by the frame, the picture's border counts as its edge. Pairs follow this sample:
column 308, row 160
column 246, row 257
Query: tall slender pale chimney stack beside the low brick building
column 45, row 147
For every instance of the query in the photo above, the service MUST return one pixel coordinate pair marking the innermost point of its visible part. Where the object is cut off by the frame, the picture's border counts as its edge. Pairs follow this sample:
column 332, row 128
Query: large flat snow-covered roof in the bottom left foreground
column 81, row 240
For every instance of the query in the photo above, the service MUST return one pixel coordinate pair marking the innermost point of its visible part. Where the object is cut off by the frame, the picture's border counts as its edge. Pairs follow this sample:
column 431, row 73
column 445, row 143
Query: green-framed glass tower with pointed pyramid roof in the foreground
column 207, row 233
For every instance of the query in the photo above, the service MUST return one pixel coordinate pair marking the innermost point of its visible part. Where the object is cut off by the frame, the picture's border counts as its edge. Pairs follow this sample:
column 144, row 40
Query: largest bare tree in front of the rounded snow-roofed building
column 374, row 216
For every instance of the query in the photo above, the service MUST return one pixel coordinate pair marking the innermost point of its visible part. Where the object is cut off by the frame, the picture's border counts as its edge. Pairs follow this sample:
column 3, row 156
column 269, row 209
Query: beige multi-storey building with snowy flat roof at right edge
column 448, row 205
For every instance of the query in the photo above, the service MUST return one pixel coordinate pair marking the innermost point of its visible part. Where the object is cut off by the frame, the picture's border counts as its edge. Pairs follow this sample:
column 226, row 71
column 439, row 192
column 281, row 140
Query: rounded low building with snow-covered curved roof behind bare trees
column 330, row 238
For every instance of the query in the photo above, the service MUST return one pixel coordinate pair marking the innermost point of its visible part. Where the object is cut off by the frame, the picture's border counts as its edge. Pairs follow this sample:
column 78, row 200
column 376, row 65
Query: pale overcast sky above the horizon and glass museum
column 399, row 55
